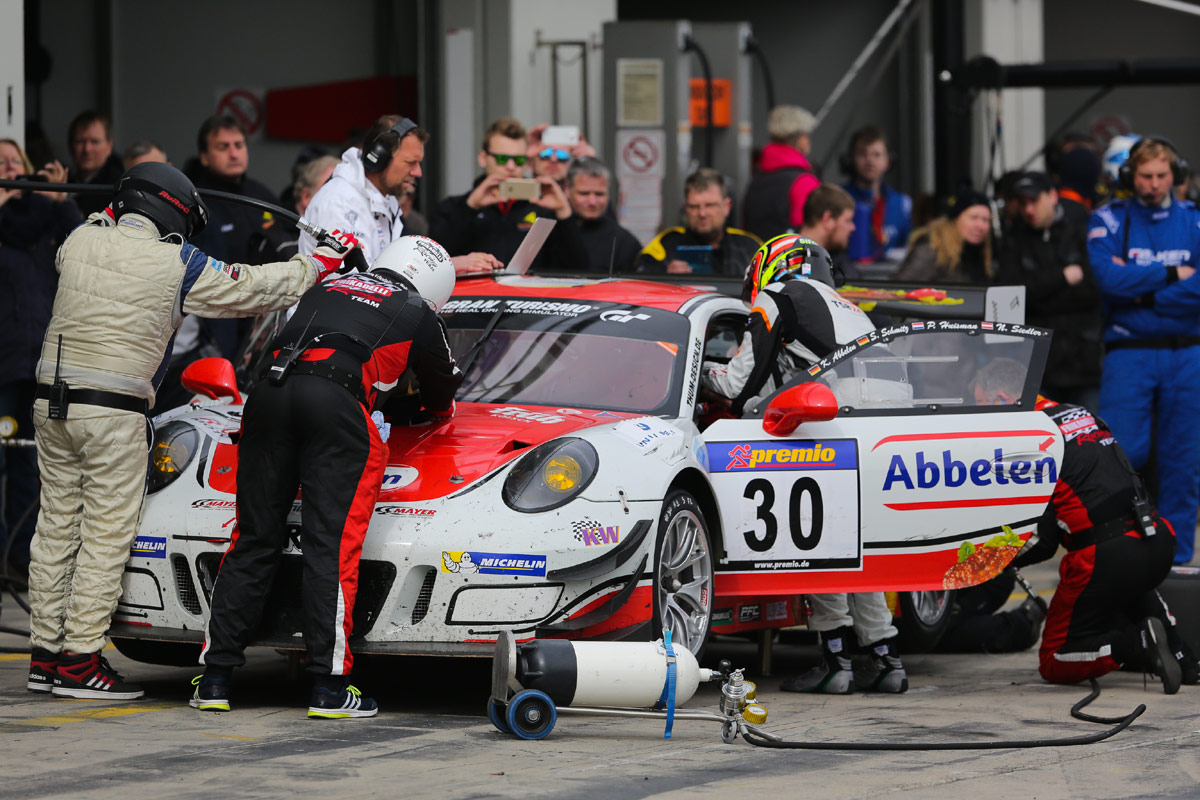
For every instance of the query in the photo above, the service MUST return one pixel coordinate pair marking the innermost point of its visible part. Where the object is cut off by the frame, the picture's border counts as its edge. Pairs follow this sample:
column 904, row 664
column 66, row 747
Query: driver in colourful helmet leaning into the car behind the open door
column 797, row 318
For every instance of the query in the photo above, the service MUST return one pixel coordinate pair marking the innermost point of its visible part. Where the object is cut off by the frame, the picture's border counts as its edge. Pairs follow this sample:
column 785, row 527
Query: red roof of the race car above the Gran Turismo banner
column 640, row 293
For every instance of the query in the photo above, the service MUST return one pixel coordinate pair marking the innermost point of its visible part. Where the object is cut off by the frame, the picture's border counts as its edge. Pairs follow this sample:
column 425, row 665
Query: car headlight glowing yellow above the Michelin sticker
column 550, row 476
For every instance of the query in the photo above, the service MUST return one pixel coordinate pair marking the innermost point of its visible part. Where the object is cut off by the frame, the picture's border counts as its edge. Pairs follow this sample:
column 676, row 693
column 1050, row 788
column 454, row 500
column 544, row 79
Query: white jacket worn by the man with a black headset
column 349, row 202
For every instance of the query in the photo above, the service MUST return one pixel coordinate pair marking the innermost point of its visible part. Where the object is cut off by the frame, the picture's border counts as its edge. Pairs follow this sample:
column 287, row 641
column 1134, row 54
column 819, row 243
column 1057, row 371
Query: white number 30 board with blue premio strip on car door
column 789, row 506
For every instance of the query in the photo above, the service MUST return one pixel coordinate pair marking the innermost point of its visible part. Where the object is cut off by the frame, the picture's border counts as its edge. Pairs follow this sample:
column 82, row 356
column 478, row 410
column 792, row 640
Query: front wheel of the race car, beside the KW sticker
column 683, row 574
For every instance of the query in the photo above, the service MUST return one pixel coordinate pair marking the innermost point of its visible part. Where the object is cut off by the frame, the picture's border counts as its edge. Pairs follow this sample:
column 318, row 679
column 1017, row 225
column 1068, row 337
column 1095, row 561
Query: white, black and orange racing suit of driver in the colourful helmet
column 793, row 326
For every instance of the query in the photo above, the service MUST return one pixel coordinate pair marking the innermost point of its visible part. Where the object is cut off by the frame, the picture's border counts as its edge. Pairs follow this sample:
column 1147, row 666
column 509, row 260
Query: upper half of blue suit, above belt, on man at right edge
column 1142, row 298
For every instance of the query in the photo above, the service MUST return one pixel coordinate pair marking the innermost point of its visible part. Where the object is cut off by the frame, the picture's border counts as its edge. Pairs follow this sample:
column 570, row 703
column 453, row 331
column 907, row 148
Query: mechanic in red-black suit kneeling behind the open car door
column 1119, row 550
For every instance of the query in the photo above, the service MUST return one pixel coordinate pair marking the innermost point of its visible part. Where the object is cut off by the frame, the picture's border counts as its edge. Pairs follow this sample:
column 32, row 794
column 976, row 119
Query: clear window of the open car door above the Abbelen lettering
column 931, row 369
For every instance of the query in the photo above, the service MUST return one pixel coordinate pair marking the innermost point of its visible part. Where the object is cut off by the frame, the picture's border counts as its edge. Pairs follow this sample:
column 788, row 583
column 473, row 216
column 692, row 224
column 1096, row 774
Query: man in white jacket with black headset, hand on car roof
column 363, row 195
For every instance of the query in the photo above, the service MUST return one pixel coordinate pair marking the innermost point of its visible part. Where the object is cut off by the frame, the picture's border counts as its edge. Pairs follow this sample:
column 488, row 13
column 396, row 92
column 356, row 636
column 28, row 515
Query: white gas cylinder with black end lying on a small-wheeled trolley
column 628, row 675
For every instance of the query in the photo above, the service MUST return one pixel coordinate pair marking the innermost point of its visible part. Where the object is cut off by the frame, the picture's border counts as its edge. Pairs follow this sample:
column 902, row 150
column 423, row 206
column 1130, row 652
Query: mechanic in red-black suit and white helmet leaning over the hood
column 309, row 425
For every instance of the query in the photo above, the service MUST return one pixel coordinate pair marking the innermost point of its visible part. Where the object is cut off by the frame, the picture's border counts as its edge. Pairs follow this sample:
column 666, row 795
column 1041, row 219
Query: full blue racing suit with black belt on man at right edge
column 1151, row 374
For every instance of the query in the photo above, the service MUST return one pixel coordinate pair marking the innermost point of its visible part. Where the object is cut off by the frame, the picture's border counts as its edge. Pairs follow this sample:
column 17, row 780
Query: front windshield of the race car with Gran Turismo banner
column 549, row 352
